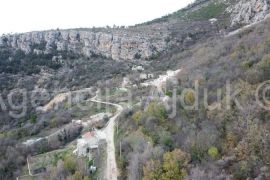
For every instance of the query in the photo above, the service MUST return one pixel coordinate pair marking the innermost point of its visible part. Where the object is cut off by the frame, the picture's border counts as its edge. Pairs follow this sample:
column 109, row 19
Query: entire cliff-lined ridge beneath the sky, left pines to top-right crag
column 197, row 22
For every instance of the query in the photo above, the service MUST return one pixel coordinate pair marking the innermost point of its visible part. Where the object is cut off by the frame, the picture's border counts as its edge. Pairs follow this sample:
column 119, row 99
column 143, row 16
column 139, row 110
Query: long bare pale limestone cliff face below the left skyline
column 115, row 44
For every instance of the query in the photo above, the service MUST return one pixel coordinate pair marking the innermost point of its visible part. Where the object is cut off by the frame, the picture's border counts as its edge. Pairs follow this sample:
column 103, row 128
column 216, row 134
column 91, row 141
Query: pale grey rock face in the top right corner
column 249, row 11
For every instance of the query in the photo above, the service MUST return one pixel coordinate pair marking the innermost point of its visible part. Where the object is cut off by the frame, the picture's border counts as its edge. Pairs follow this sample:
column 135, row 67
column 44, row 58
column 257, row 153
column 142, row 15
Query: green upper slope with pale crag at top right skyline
column 230, row 14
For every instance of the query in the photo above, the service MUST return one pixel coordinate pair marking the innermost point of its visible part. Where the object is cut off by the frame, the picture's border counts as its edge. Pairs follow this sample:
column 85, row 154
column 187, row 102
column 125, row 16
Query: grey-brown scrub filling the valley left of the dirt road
column 73, row 74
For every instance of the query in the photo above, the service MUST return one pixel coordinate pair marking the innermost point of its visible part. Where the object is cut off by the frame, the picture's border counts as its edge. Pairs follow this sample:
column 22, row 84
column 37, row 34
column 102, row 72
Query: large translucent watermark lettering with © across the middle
column 18, row 101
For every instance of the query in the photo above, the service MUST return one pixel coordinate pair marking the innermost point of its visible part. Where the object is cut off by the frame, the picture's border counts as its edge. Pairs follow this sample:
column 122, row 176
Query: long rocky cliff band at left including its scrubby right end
column 140, row 42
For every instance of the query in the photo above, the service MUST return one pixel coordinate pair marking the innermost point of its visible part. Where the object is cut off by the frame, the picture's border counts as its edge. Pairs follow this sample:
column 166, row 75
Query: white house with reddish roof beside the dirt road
column 87, row 144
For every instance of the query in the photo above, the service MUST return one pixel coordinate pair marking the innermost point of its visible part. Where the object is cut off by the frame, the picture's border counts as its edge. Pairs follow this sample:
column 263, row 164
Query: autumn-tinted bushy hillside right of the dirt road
column 206, row 143
